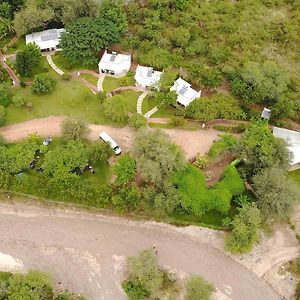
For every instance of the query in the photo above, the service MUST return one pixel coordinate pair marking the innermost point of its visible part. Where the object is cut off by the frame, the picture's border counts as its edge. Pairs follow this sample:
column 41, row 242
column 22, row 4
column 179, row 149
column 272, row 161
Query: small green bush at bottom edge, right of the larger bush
column 198, row 289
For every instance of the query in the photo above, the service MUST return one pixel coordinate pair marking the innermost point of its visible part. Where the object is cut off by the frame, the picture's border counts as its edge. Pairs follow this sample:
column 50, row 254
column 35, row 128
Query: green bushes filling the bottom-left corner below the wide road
column 33, row 285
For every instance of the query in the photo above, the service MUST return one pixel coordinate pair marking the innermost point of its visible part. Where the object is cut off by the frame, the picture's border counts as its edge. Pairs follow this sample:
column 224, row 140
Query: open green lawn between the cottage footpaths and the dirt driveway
column 70, row 98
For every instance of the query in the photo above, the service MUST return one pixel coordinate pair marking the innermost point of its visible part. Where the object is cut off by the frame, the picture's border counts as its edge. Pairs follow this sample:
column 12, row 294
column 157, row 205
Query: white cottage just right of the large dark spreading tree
column 115, row 63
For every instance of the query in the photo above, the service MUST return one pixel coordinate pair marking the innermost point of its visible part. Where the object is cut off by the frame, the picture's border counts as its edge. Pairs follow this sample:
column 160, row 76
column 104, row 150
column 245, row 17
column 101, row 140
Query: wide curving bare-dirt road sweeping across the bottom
column 86, row 251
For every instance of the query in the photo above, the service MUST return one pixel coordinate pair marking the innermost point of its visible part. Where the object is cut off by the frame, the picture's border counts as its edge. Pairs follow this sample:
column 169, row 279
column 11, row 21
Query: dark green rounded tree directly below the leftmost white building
column 28, row 59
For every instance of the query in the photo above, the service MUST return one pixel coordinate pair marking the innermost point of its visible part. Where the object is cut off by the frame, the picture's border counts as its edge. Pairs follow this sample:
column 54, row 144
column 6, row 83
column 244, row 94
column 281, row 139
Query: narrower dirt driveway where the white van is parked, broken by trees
column 192, row 142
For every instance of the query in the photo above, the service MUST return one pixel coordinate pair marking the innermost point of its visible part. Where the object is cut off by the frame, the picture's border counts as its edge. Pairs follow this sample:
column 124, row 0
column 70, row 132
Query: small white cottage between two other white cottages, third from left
column 147, row 77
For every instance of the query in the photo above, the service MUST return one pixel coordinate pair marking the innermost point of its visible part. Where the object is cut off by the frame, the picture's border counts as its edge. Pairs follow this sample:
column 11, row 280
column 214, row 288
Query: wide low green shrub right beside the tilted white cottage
column 216, row 107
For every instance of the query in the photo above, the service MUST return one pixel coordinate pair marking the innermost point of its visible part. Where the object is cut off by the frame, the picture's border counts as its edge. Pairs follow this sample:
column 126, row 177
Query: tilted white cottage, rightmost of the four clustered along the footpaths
column 186, row 94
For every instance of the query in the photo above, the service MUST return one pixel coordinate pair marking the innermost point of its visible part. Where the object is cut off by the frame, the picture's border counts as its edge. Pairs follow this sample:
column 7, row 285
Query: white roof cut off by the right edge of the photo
column 293, row 140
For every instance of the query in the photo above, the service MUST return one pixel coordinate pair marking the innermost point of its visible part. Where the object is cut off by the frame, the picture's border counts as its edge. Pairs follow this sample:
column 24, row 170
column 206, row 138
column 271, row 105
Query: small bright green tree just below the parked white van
column 125, row 169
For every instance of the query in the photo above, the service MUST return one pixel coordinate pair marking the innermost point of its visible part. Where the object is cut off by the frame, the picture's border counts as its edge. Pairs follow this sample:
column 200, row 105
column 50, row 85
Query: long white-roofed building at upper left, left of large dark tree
column 47, row 39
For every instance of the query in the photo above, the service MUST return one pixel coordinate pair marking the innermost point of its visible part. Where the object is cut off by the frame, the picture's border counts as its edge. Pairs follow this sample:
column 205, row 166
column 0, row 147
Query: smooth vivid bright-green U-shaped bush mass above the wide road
column 197, row 199
